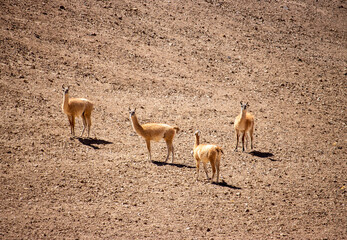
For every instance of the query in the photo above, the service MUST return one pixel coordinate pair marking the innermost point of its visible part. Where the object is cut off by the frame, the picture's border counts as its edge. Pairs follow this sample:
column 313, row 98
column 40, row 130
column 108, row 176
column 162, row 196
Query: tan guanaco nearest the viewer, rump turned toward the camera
column 207, row 153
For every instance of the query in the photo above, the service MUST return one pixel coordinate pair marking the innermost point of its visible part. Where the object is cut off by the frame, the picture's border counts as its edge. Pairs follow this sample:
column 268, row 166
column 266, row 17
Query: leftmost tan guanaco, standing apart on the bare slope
column 77, row 107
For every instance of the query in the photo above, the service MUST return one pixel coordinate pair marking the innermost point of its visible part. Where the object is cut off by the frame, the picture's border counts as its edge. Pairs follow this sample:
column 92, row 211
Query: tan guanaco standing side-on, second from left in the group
column 154, row 132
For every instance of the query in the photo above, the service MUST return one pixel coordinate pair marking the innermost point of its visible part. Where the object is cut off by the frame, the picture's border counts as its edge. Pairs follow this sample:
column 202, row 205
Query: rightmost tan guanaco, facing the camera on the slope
column 244, row 124
